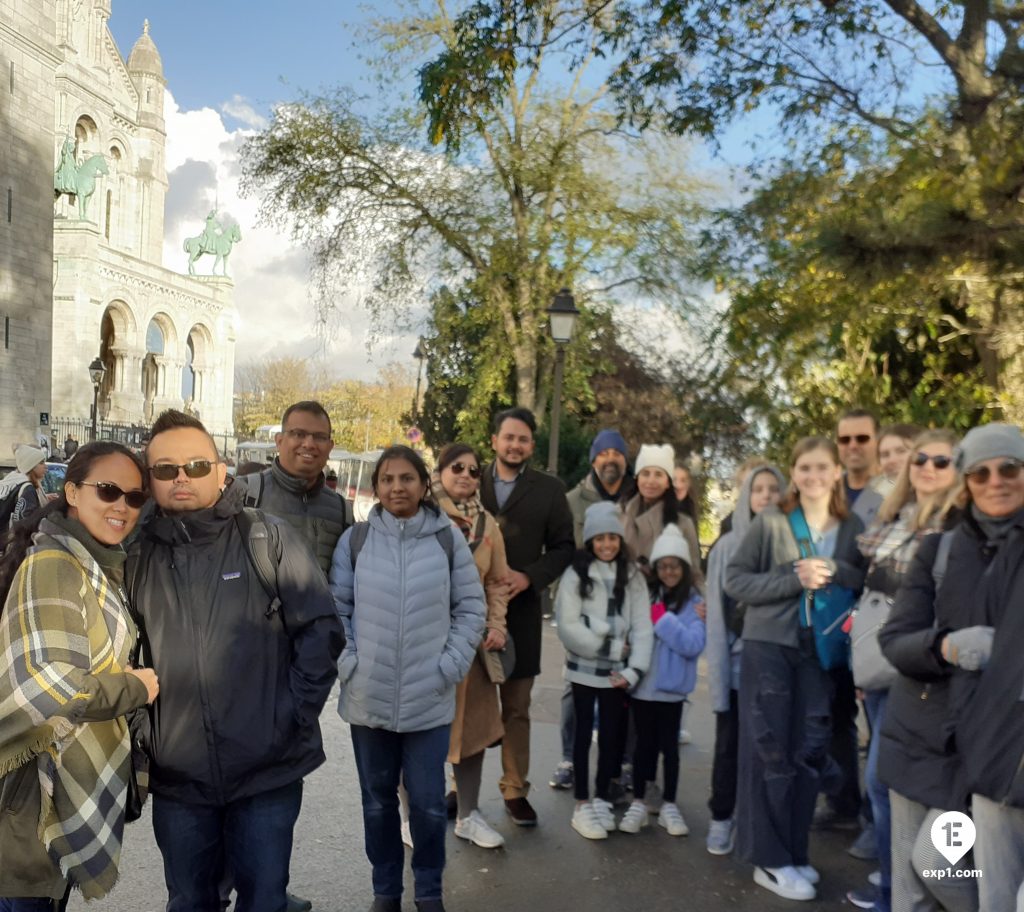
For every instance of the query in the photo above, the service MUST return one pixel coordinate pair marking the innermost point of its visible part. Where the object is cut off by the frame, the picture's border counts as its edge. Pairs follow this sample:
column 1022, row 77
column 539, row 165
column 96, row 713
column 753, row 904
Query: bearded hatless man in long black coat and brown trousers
column 536, row 522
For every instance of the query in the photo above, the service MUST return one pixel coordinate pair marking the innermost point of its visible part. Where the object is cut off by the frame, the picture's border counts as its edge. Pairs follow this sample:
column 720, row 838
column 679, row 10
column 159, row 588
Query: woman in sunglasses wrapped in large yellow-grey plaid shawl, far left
column 66, row 685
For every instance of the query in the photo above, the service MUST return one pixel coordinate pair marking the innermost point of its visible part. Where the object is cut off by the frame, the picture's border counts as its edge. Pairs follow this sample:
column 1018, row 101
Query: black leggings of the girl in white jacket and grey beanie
column 613, row 710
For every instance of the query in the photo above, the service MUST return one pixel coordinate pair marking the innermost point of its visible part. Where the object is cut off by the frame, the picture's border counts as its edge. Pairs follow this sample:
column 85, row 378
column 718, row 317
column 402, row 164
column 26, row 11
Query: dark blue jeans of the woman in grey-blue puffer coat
column 417, row 759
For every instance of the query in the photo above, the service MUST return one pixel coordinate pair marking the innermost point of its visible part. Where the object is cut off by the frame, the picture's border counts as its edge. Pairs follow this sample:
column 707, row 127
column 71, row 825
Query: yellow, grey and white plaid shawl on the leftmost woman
column 65, row 634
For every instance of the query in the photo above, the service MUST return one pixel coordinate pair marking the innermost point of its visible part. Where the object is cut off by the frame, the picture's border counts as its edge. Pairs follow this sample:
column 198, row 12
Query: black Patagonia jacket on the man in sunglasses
column 241, row 686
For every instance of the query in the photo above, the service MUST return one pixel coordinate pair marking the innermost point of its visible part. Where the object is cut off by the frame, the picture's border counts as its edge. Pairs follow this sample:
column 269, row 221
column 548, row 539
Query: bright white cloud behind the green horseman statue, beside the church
column 271, row 272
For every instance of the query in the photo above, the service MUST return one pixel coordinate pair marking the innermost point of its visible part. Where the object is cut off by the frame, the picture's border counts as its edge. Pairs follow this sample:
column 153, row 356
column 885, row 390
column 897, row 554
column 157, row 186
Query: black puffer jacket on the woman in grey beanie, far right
column 950, row 732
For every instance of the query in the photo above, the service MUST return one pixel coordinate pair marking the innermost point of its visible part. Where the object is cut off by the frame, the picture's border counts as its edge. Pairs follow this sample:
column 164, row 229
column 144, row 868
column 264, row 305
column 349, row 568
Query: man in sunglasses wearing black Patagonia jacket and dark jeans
column 246, row 676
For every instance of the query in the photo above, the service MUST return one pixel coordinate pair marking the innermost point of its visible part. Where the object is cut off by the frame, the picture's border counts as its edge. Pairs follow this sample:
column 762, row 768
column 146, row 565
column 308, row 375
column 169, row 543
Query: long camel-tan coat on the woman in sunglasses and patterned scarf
column 478, row 722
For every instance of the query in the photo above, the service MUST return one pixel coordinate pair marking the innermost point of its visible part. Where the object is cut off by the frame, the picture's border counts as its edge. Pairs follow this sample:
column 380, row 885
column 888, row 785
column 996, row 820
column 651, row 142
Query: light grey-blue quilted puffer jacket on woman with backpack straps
column 413, row 623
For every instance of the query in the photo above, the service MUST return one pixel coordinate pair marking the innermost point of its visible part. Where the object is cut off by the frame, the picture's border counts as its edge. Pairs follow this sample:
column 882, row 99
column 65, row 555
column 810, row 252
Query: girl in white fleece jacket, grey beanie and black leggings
column 605, row 625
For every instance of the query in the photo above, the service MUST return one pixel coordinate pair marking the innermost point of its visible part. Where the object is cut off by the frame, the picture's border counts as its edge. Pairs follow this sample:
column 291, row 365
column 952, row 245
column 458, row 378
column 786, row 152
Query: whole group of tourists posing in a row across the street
column 170, row 630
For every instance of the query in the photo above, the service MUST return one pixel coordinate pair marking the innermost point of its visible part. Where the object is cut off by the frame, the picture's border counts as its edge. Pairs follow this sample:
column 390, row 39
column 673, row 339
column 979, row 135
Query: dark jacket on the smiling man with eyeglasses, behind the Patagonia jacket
column 317, row 513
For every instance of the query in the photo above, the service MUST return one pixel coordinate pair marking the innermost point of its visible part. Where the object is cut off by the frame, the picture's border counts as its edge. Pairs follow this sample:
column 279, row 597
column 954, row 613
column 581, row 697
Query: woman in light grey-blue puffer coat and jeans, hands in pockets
column 410, row 598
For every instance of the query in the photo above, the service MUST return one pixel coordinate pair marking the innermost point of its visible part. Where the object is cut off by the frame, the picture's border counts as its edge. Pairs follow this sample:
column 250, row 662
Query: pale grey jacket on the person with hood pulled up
column 723, row 650
